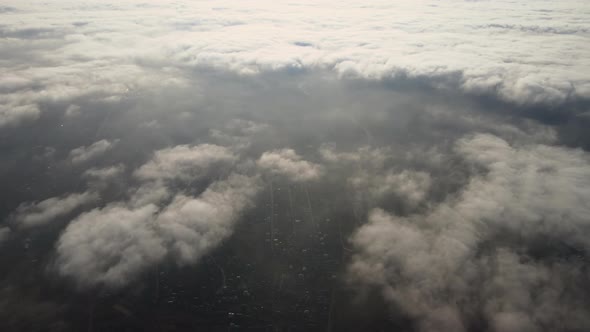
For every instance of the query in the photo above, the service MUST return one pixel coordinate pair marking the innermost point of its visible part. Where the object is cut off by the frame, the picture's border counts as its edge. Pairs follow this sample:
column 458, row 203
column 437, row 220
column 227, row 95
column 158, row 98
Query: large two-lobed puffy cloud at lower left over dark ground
column 113, row 245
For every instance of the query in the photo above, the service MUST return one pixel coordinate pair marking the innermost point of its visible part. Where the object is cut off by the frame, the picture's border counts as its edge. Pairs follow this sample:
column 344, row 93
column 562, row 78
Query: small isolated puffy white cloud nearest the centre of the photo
column 288, row 163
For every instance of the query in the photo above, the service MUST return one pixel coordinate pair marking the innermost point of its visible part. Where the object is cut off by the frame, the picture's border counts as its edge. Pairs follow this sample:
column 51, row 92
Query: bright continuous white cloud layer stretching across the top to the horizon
column 424, row 43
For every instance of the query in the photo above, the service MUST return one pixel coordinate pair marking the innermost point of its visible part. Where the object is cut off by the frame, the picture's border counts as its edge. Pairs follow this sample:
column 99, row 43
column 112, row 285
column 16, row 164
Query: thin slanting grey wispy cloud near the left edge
column 40, row 213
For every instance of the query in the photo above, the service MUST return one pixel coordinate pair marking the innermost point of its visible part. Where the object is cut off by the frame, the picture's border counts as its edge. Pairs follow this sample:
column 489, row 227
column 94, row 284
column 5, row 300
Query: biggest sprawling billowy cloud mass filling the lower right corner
column 475, row 253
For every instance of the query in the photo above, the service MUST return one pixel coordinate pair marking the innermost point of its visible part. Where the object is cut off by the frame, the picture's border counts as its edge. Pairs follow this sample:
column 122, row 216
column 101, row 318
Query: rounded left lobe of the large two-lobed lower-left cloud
column 109, row 246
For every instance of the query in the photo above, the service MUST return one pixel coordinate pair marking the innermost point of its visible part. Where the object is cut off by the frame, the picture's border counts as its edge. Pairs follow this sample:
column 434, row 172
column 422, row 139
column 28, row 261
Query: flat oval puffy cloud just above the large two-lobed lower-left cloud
column 185, row 162
